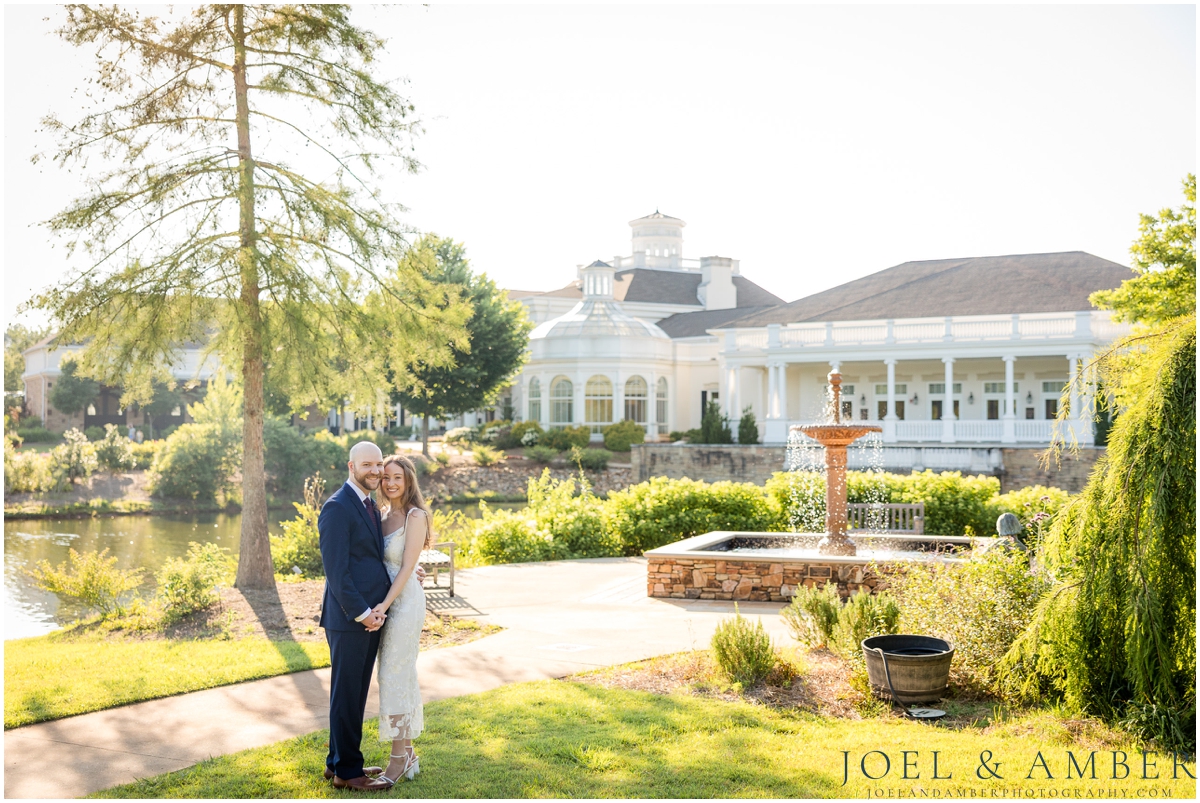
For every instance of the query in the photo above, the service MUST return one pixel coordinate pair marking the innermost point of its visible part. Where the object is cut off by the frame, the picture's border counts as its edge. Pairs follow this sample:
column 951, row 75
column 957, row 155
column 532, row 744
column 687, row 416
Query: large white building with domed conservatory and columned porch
column 653, row 337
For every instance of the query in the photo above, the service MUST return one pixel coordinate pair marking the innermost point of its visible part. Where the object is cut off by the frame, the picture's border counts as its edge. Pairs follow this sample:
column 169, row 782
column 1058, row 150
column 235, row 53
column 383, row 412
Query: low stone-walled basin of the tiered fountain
column 769, row 567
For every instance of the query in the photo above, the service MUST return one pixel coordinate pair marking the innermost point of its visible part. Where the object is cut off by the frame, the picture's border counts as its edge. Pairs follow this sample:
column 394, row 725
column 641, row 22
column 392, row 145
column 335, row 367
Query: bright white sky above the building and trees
column 814, row 143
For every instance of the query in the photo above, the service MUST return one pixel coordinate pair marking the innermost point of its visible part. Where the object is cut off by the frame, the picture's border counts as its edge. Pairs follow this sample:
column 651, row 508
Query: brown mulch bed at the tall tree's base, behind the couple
column 291, row 613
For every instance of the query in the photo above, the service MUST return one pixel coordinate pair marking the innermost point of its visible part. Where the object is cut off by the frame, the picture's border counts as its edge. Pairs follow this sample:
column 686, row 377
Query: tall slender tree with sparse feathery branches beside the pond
column 201, row 223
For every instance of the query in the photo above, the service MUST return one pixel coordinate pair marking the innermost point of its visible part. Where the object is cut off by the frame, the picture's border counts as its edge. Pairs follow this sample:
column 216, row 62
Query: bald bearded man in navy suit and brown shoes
column 356, row 582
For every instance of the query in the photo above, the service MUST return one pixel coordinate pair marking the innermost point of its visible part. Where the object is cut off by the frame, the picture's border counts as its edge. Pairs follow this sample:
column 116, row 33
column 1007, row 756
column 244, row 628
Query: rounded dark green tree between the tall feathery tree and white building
column 497, row 335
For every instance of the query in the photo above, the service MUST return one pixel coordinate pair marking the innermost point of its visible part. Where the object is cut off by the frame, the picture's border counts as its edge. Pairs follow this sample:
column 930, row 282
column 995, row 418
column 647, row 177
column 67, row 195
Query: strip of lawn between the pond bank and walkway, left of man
column 61, row 675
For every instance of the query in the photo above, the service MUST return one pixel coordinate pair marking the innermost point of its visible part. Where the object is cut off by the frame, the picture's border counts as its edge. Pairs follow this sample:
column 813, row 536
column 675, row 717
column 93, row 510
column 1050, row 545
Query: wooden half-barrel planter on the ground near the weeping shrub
column 920, row 667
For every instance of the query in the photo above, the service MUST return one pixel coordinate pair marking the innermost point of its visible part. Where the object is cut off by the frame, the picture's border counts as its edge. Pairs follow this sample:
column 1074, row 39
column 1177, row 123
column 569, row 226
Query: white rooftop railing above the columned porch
column 1010, row 328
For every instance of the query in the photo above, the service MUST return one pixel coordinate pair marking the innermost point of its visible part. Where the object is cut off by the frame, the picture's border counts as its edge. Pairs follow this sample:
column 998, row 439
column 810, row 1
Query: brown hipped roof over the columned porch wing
column 1028, row 283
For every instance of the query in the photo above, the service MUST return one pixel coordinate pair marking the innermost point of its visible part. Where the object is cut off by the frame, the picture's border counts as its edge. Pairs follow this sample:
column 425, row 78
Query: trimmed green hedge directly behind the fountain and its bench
column 955, row 505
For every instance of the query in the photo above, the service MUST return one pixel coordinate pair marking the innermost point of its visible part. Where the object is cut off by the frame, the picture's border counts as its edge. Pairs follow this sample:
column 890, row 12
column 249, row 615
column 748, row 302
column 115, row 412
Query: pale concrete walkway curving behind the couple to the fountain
column 560, row 619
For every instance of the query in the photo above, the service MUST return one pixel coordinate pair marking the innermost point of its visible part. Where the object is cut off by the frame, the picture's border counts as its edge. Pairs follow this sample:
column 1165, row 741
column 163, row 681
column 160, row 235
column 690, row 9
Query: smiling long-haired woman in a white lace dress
column 406, row 526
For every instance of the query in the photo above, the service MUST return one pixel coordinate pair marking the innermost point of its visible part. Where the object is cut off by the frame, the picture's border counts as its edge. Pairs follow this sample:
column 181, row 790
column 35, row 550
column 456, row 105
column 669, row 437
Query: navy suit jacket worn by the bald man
column 352, row 550
